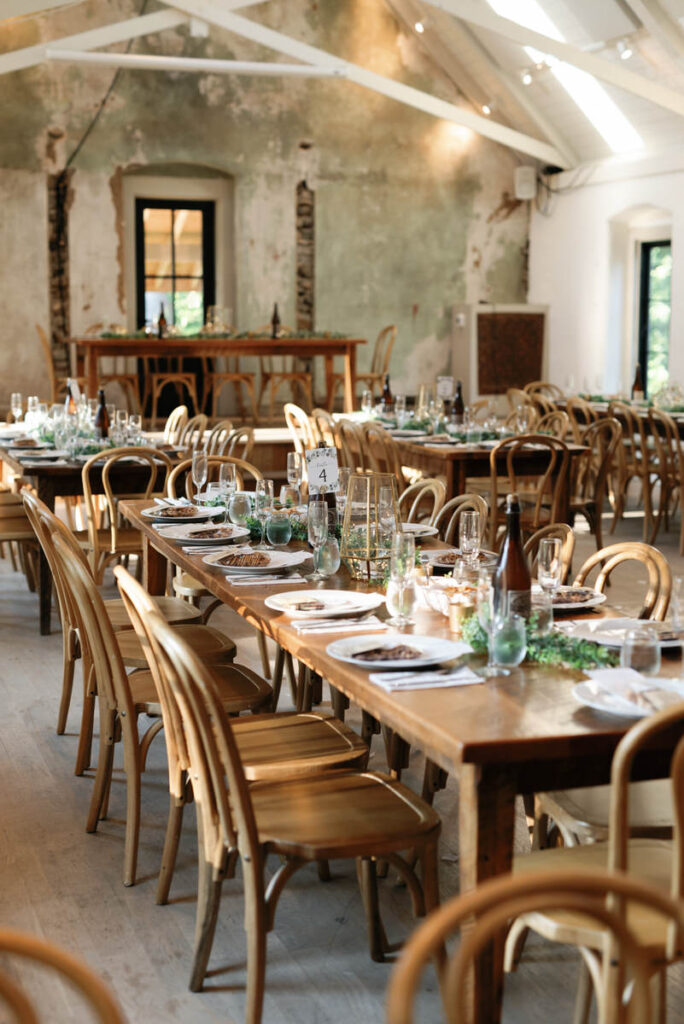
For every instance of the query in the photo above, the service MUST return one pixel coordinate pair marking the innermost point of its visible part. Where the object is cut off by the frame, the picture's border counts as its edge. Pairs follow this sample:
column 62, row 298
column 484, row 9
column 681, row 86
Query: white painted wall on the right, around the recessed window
column 581, row 267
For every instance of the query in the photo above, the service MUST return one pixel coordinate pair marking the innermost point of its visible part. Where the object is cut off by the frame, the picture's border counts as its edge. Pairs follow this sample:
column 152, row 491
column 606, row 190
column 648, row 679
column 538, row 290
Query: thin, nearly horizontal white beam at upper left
column 202, row 66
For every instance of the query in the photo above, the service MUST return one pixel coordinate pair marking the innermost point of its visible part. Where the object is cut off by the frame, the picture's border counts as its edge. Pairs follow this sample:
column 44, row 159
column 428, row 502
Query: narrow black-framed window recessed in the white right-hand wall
column 655, row 310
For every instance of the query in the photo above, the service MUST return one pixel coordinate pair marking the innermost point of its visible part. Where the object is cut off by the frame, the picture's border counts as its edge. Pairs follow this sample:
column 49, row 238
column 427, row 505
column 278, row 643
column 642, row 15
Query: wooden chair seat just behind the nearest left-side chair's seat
column 287, row 745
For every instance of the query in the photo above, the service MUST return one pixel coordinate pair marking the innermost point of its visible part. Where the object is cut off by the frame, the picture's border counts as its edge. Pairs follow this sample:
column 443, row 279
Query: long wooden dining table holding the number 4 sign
column 517, row 735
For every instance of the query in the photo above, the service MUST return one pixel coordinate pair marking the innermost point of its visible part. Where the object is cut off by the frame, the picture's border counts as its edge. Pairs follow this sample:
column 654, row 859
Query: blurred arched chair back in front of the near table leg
column 598, row 898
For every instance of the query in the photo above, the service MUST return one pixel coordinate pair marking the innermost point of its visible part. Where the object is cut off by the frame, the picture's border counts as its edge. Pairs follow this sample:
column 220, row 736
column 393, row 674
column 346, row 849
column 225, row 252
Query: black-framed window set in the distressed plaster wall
column 176, row 262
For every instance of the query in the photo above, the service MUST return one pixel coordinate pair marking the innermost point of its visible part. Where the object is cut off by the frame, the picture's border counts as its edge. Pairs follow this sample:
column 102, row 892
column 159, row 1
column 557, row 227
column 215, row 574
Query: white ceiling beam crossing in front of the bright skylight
column 608, row 71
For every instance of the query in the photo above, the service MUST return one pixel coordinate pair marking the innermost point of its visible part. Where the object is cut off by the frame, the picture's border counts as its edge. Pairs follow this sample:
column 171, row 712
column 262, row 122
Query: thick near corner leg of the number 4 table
column 487, row 816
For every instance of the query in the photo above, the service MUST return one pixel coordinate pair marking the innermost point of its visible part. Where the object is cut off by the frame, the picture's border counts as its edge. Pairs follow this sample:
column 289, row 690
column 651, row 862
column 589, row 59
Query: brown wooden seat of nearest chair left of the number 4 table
column 340, row 816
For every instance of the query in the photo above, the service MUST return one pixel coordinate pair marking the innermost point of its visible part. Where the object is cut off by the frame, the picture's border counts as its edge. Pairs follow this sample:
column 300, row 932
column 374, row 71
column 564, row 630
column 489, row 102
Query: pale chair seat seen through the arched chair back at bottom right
column 650, row 861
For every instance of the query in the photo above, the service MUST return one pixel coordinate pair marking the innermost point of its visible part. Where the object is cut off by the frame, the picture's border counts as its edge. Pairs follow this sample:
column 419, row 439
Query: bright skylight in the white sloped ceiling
column 589, row 95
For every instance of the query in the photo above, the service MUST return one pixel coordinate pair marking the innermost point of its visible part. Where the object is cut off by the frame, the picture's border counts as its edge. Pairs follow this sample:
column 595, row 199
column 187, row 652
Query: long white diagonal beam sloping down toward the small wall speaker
column 215, row 12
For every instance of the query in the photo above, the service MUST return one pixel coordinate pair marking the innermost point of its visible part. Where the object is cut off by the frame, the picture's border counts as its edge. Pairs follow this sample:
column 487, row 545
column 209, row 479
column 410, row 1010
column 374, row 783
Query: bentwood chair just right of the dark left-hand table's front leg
column 107, row 543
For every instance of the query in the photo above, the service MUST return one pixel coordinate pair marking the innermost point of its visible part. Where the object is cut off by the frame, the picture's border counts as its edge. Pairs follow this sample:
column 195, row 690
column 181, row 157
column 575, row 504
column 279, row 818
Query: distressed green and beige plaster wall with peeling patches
column 412, row 215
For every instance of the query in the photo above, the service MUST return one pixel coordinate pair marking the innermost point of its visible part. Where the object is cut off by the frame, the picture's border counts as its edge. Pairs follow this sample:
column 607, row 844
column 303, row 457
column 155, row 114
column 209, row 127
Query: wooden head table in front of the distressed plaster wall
column 304, row 349
